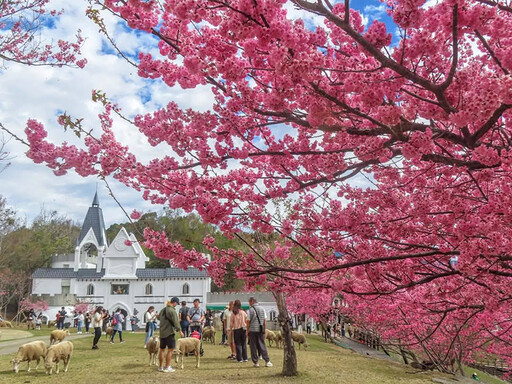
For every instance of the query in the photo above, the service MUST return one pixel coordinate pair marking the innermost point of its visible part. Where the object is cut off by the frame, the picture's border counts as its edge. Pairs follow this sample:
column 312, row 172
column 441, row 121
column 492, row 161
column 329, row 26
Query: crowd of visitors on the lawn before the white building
column 239, row 328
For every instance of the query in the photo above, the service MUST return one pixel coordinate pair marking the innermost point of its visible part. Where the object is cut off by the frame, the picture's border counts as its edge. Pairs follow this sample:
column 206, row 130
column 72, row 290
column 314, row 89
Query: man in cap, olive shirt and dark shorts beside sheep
column 169, row 324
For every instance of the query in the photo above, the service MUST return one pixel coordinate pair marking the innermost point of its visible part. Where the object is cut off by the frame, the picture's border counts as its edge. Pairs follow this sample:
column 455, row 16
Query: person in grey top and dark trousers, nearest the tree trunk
column 256, row 325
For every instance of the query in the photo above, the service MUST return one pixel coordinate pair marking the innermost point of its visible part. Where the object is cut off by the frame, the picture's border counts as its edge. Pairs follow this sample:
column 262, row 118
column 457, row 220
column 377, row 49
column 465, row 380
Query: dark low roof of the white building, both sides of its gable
column 89, row 273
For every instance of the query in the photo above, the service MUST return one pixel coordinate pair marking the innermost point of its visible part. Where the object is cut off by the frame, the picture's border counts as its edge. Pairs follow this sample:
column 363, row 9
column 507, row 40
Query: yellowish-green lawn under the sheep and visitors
column 128, row 362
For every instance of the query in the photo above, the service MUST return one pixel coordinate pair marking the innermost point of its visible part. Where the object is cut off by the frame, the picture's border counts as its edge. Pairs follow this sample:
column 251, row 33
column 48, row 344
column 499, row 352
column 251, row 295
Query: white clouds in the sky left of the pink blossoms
column 44, row 92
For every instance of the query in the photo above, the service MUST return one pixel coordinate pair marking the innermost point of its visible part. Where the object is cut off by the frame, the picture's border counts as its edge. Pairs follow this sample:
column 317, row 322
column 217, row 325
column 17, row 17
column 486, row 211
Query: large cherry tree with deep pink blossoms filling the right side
column 383, row 167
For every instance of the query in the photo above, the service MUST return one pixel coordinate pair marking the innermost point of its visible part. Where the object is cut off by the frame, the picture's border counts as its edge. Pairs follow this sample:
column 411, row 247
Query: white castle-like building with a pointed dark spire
column 113, row 276
